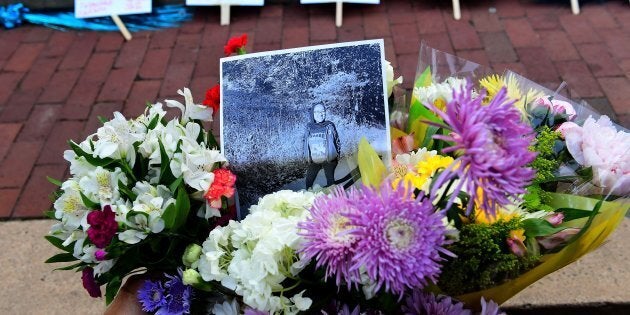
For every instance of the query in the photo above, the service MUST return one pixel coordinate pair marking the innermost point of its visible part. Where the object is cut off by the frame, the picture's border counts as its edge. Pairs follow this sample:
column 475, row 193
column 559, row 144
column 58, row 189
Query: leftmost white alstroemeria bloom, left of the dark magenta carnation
column 69, row 207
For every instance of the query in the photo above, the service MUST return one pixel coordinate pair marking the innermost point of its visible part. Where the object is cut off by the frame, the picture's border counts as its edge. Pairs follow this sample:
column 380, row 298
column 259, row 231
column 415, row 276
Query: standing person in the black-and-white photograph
column 321, row 147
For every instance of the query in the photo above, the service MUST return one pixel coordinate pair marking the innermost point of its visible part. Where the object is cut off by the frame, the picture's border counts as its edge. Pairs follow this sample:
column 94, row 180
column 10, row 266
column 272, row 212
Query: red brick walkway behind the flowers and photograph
column 54, row 85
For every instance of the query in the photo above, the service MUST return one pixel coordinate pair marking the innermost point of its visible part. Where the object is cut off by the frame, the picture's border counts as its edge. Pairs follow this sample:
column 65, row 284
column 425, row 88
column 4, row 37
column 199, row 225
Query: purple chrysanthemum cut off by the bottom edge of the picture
column 421, row 303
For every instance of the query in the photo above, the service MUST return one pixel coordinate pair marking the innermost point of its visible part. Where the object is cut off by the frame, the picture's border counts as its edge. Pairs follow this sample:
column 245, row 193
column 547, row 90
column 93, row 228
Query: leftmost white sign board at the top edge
column 98, row 8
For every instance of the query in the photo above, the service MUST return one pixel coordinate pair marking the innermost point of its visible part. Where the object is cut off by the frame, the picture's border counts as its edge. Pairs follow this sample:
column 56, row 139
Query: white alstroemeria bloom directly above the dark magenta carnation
column 101, row 185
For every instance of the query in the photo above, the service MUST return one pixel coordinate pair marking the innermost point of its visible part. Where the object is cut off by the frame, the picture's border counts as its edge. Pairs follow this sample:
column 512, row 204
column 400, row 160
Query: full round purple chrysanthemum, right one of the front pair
column 399, row 238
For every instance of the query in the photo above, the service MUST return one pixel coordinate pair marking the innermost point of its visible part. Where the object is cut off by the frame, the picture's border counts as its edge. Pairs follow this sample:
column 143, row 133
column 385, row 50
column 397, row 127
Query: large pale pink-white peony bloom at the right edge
column 599, row 145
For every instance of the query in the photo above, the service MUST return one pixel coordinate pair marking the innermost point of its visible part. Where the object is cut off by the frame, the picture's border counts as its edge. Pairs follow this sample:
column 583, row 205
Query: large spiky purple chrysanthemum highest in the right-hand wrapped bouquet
column 494, row 145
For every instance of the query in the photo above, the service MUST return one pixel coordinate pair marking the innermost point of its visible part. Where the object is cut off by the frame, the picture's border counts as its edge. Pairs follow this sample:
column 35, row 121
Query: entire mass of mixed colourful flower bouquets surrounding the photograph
column 495, row 182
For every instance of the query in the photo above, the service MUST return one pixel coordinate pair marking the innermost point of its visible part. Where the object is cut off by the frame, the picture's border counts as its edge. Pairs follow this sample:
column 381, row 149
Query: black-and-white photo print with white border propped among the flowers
column 293, row 119
